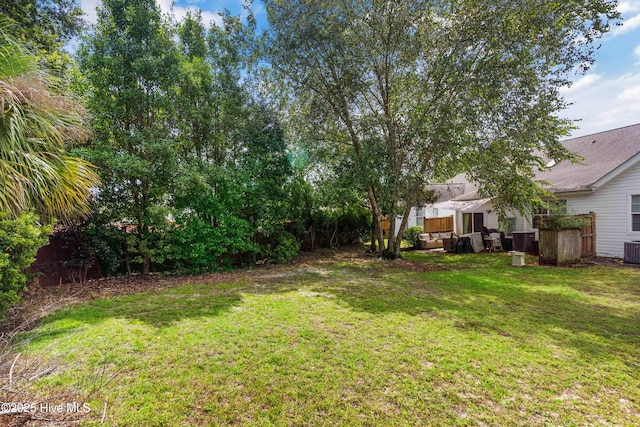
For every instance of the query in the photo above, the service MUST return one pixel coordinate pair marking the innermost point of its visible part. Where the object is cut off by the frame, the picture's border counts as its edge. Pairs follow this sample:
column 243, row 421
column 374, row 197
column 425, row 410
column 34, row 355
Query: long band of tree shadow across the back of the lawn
column 481, row 294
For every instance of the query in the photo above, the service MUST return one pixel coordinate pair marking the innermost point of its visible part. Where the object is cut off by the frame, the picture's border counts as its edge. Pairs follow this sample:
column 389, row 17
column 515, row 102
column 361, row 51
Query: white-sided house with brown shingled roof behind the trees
column 606, row 182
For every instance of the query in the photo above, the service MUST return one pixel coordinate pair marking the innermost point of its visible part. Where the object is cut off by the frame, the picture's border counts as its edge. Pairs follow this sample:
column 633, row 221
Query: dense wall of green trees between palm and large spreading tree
column 181, row 136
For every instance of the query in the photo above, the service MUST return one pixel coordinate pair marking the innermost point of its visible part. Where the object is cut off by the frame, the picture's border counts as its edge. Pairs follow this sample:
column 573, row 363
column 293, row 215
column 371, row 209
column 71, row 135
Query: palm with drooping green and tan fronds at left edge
column 35, row 125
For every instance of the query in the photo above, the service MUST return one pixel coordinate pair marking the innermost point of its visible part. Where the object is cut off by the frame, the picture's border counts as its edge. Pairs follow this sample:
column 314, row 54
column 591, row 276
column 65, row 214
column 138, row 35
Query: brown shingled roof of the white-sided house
column 604, row 156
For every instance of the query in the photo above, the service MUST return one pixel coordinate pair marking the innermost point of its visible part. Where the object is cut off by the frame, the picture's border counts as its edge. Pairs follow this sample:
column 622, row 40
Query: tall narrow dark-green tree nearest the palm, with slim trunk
column 131, row 63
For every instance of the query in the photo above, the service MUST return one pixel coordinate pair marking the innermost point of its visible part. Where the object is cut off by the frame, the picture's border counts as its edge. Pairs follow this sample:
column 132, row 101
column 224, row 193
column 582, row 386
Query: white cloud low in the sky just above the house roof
column 604, row 103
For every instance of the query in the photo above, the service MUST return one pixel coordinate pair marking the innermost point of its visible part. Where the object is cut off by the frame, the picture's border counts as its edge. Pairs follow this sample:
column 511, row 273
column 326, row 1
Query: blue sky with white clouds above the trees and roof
column 606, row 97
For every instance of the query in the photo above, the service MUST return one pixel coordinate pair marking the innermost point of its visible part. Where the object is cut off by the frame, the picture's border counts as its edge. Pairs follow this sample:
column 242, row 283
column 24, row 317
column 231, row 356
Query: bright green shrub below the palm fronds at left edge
column 20, row 240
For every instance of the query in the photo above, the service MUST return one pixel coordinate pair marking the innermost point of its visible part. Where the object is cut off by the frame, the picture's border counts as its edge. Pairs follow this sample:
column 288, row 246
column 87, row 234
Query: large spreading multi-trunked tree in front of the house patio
column 409, row 90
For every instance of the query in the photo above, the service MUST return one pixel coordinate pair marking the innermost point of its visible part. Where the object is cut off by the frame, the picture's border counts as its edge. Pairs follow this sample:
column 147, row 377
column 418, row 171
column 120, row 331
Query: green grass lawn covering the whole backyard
column 433, row 340
